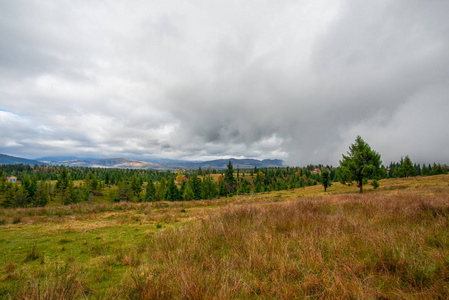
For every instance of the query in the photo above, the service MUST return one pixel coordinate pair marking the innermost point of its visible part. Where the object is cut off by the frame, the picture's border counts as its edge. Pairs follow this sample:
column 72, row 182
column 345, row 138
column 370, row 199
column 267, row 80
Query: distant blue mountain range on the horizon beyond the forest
column 125, row 163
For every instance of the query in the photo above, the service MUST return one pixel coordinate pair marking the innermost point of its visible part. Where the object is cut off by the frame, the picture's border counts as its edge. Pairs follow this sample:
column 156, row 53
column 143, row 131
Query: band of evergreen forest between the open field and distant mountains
column 38, row 186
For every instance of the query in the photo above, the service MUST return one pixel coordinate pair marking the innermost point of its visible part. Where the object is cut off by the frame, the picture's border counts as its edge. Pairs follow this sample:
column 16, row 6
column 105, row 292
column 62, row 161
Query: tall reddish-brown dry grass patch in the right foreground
column 379, row 246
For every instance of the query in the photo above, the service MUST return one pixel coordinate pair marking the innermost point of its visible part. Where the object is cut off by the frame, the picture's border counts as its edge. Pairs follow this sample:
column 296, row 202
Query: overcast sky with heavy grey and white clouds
column 204, row 79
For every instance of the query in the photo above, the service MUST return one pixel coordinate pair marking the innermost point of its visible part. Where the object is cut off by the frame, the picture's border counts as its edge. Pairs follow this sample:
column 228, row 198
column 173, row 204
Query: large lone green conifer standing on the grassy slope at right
column 361, row 163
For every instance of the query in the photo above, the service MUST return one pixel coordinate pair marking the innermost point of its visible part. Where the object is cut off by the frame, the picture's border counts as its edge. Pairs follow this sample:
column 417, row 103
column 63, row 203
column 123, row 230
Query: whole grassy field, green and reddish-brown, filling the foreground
column 392, row 242
